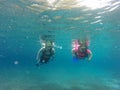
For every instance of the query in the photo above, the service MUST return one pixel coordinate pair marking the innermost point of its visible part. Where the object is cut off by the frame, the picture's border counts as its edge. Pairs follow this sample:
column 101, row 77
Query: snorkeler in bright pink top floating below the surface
column 80, row 50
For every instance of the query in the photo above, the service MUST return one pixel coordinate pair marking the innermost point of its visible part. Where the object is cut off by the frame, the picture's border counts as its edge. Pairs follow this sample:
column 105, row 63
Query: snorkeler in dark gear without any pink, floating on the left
column 46, row 53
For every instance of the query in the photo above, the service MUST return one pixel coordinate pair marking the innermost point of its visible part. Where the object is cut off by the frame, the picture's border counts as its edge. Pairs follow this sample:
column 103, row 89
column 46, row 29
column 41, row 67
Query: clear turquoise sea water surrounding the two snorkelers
column 21, row 26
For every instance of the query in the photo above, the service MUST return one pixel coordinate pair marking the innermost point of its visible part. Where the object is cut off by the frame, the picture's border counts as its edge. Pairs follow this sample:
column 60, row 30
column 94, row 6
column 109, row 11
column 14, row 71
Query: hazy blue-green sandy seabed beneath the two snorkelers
column 46, row 78
